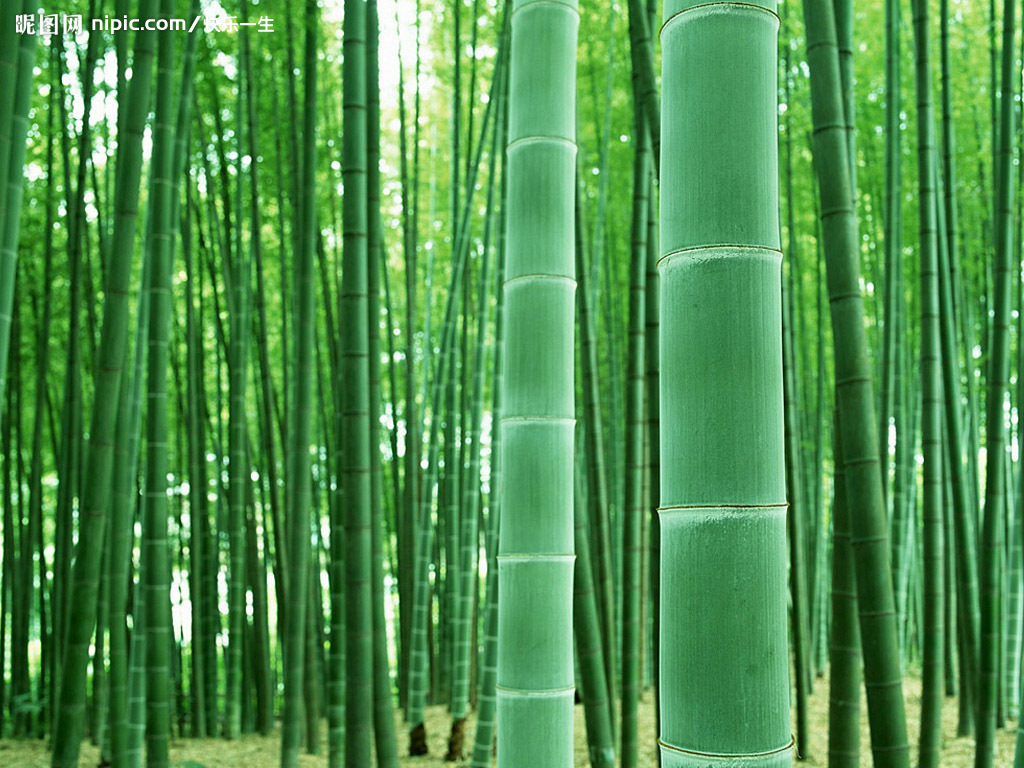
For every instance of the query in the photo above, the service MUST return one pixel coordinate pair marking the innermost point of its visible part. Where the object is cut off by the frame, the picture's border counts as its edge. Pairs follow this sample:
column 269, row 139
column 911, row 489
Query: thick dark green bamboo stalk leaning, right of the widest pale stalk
column 855, row 397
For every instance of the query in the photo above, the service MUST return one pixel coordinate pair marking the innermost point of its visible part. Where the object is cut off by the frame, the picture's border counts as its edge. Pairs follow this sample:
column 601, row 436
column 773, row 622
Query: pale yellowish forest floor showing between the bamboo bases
column 263, row 752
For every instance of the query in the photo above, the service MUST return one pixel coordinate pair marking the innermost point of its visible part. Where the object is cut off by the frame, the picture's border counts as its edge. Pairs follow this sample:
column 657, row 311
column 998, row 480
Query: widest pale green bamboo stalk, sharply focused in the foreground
column 724, row 690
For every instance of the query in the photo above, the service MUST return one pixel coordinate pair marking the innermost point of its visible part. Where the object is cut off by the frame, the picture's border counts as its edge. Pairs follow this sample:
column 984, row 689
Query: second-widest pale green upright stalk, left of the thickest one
column 535, row 688
